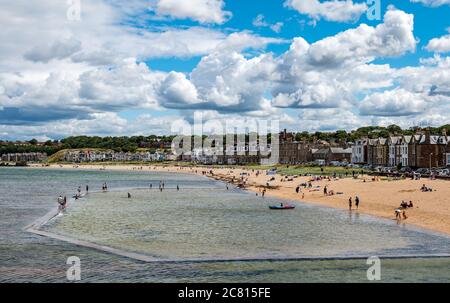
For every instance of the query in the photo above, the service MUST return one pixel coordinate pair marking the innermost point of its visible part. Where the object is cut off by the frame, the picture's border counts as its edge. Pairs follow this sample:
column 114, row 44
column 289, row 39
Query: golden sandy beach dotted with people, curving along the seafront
column 379, row 198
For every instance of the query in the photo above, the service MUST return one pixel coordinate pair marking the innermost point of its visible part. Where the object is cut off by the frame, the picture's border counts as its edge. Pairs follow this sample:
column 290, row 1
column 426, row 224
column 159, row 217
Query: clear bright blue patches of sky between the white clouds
column 430, row 22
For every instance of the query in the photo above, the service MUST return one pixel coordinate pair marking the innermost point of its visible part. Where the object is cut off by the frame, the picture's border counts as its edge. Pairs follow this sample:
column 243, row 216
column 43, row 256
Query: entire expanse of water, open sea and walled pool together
column 148, row 223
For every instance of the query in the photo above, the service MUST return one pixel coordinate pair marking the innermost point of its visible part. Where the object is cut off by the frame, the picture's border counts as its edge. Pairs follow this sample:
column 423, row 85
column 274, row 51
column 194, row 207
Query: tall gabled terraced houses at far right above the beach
column 415, row 151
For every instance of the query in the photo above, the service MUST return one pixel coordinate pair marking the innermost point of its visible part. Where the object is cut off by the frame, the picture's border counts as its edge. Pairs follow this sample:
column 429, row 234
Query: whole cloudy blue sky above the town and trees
column 113, row 68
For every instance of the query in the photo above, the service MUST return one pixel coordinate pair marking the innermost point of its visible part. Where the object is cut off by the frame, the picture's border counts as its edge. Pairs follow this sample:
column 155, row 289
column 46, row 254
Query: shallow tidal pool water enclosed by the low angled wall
column 204, row 221
